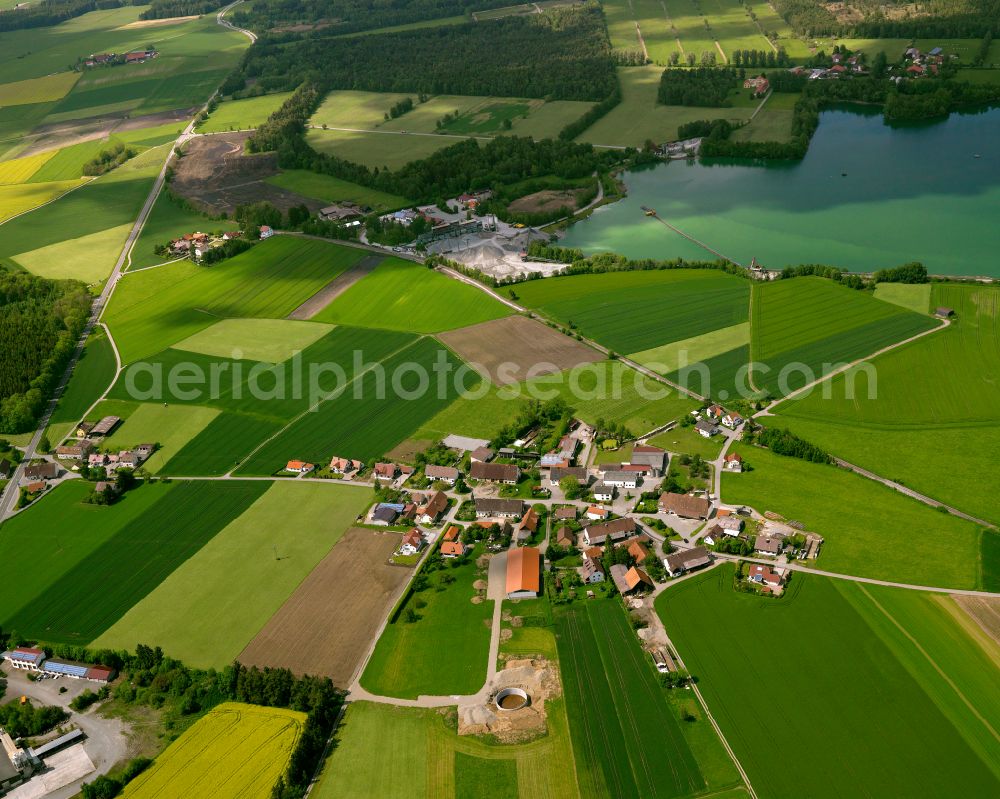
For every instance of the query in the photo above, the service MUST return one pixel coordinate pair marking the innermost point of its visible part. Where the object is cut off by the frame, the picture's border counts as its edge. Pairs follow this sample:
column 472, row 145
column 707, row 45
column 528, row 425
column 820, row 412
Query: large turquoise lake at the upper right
column 866, row 196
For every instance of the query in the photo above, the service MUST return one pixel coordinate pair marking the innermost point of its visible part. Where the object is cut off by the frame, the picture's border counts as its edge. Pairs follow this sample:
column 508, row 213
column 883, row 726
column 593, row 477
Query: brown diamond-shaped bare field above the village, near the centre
column 516, row 348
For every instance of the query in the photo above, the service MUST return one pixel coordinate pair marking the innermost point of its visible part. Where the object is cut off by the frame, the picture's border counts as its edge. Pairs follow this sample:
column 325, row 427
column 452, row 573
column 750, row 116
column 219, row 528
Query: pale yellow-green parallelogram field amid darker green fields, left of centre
column 271, row 340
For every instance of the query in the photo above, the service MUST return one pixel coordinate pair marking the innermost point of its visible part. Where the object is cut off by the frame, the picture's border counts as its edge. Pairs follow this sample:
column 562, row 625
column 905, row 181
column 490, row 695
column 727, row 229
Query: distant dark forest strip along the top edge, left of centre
column 348, row 16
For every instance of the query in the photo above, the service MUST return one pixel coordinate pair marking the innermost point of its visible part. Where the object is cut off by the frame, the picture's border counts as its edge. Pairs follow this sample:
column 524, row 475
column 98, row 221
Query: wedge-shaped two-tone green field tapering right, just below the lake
column 803, row 328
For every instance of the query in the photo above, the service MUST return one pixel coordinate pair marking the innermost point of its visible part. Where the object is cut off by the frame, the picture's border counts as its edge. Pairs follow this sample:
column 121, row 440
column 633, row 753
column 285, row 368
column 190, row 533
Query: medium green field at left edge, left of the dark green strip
column 46, row 544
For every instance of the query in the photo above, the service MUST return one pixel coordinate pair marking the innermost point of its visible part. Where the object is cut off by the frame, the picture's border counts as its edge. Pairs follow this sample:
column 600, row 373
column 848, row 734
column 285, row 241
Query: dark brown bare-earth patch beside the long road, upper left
column 216, row 175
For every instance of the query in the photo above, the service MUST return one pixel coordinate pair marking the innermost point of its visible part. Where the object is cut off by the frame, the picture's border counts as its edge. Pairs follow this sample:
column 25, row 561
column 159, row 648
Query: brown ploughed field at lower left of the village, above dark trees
column 326, row 625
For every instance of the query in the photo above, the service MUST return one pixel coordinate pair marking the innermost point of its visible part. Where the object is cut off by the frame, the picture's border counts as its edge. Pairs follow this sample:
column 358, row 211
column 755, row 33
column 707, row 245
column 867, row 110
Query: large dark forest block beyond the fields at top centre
column 562, row 55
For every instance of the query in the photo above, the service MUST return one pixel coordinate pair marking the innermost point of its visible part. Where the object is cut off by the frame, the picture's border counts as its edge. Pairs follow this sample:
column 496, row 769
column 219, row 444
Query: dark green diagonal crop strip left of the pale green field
column 168, row 532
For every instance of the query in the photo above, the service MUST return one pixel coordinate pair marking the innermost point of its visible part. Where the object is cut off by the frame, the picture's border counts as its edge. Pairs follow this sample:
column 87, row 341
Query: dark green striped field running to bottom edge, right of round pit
column 626, row 740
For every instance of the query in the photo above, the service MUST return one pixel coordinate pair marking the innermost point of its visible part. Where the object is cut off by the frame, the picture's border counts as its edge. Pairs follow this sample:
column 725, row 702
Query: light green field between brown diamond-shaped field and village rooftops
column 638, row 402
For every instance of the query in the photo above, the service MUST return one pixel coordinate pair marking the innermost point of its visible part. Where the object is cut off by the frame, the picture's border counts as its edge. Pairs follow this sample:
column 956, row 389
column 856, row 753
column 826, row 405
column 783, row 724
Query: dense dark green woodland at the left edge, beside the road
column 40, row 321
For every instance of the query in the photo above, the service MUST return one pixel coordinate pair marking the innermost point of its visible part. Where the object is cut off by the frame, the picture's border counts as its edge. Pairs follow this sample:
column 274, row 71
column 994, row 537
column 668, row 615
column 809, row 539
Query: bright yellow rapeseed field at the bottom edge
column 236, row 751
